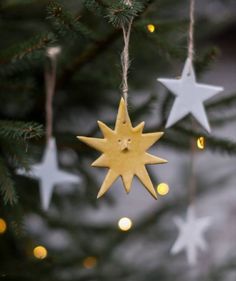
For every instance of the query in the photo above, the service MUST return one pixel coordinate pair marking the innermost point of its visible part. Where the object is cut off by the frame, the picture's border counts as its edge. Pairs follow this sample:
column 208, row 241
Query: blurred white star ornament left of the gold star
column 49, row 174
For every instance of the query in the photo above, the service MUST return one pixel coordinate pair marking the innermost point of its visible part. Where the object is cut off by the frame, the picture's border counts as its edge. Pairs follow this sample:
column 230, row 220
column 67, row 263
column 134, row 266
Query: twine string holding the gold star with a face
column 125, row 63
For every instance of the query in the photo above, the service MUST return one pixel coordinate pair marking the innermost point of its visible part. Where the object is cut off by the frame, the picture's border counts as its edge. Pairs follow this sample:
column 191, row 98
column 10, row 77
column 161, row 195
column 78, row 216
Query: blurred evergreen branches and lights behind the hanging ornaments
column 80, row 237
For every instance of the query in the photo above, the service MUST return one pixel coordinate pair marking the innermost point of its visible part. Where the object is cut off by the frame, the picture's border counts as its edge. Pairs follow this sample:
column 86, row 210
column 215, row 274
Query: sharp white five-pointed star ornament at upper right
column 190, row 96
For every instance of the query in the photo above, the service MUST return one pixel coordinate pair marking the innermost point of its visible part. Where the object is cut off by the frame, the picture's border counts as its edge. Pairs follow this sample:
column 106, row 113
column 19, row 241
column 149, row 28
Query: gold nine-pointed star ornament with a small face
column 124, row 152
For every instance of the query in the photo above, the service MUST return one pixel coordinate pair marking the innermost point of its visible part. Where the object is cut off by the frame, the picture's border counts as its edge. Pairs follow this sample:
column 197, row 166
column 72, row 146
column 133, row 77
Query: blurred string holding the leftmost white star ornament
column 50, row 83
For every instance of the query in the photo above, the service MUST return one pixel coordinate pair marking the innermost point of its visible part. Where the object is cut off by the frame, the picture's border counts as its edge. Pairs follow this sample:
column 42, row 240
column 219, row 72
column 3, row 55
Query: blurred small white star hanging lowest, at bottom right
column 191, row 235
